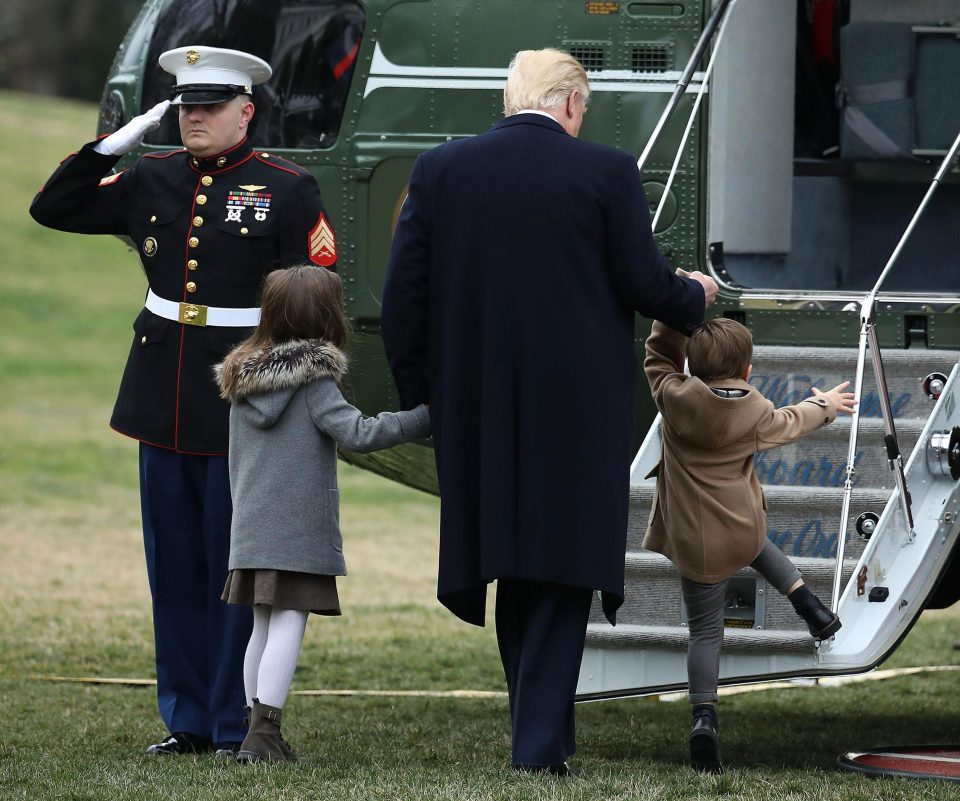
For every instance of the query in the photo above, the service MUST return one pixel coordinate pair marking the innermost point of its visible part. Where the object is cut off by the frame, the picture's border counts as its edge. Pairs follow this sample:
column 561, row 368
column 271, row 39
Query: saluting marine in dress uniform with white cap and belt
column 209, row 222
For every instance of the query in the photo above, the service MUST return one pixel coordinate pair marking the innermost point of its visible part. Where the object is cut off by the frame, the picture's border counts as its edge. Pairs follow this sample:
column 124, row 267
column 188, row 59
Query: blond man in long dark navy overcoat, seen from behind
column 519, row 260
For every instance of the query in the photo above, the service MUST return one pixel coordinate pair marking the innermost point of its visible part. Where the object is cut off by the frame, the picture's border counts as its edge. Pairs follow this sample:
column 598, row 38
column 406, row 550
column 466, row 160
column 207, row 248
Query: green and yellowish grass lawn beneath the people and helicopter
column 74, row 601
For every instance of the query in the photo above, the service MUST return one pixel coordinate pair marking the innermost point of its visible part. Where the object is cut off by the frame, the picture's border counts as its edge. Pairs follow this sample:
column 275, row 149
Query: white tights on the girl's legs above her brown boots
column 272, row 652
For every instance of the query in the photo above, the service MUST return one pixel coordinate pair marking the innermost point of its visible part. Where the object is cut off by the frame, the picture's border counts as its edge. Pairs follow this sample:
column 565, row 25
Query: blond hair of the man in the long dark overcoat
column 542, row 79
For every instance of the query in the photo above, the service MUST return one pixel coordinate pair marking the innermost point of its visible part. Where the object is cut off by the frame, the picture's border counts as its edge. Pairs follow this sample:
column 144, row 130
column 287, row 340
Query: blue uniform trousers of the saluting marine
column 199, row 640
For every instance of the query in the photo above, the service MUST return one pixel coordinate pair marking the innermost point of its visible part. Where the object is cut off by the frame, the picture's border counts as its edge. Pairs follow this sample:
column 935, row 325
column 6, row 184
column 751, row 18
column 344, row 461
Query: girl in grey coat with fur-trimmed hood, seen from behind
column 287, row 417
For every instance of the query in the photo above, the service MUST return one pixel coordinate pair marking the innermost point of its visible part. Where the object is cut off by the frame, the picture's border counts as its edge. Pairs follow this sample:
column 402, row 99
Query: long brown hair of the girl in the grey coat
column 303, row 302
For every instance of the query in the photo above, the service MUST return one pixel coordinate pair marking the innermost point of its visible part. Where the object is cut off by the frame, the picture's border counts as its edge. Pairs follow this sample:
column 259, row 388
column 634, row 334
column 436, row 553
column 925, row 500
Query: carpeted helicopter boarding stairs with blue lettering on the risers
column 804, row 485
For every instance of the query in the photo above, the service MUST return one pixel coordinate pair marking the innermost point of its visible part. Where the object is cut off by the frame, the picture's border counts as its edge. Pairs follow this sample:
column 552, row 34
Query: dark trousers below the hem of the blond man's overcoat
column 541, row 630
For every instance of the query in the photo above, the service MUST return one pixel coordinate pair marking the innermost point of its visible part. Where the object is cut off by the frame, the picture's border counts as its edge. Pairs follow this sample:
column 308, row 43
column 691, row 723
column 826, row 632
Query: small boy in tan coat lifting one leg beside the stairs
column 709, row 514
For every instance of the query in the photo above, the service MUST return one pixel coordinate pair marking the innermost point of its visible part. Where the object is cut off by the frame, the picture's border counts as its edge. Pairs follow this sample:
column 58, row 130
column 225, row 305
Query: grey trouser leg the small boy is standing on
column 704, row 603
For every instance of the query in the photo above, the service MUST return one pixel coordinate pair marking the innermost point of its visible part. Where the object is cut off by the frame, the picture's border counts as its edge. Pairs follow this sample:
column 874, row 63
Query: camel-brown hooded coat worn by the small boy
column 709, row 515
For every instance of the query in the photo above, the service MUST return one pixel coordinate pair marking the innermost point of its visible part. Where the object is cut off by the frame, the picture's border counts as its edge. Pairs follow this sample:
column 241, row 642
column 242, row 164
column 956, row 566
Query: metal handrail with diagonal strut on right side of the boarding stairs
column 868, row 334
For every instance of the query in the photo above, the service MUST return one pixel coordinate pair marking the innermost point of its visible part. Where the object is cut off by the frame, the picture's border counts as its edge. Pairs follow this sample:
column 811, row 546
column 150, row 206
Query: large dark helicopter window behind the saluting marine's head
column 311, row 45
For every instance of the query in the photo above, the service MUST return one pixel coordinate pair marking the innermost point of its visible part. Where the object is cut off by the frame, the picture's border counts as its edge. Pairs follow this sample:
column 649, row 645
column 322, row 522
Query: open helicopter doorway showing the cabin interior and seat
column 806, row 196
